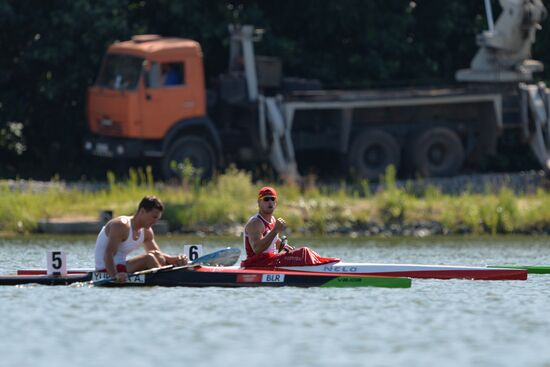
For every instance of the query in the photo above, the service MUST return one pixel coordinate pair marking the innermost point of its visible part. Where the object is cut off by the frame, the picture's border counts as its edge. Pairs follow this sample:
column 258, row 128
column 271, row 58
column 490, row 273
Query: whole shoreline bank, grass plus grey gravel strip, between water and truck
column 510, row 204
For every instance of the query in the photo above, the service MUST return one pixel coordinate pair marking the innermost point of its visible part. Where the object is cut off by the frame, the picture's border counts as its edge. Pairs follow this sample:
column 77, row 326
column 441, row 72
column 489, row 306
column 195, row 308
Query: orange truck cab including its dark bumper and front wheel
column 149, row 102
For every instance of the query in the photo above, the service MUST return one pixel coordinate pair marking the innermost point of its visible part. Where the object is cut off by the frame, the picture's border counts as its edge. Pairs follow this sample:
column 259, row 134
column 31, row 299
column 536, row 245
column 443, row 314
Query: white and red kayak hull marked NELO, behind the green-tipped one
column 414, row 271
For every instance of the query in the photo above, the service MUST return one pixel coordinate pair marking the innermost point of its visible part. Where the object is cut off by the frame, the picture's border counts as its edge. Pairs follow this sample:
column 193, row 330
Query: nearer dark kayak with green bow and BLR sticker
column 214, row 276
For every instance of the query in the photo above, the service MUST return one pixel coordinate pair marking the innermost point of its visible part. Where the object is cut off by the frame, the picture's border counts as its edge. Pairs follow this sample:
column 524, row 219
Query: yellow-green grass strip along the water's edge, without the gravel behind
column 230, row 199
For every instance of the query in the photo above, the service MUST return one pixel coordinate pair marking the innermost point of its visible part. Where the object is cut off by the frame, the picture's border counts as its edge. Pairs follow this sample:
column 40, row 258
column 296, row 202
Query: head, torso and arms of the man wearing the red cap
column 261, row 232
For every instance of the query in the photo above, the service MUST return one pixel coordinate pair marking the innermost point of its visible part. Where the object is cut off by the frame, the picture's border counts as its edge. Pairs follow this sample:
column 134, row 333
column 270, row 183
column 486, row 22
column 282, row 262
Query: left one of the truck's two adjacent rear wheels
column 372, row 152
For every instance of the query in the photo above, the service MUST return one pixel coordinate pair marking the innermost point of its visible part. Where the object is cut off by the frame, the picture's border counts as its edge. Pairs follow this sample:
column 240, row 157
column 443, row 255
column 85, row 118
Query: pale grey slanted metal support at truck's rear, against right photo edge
column 535, row 119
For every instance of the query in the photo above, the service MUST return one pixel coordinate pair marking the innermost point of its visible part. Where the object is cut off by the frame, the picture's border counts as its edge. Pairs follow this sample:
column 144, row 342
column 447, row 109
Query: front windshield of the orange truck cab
column 120, row 72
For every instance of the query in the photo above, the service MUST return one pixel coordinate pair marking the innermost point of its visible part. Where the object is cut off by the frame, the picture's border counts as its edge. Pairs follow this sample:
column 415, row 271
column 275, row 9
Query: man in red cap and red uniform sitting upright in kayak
column 264, row 248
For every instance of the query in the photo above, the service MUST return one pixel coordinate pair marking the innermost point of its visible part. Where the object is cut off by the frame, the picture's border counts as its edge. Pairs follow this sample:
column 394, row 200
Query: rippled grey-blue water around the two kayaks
column 452, row 322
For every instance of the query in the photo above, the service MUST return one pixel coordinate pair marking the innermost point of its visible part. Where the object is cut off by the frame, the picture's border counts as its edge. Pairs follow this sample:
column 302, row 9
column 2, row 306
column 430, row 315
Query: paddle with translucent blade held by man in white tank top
column 224, row 257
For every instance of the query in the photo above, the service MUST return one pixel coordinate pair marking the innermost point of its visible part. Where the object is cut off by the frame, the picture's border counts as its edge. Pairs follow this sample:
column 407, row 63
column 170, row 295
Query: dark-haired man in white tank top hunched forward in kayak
column 124, row 234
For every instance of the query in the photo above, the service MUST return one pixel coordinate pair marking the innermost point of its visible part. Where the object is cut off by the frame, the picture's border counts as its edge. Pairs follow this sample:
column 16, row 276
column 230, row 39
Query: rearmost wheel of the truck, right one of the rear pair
column 437, row 152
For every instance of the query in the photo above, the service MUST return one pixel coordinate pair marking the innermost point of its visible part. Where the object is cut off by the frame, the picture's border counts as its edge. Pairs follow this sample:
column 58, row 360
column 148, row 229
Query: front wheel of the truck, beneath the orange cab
column 194, row 149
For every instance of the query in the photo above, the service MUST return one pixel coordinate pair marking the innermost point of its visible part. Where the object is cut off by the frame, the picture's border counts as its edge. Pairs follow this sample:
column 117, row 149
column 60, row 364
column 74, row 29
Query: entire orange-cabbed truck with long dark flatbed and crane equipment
column 150, row 101
